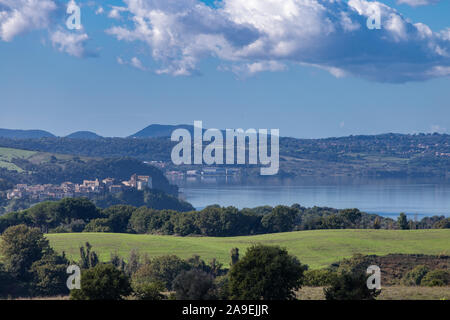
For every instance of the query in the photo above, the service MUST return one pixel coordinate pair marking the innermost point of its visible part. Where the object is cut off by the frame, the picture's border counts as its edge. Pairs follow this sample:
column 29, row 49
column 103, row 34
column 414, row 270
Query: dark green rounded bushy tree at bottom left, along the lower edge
column 102, row 282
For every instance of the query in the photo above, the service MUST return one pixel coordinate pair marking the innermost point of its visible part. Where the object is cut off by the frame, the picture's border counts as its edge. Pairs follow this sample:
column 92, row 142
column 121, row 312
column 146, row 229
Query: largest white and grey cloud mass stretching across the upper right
column 266, row 35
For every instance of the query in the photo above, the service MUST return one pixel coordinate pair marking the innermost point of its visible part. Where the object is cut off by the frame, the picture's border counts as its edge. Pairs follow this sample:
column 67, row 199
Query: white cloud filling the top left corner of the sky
column 19, row 16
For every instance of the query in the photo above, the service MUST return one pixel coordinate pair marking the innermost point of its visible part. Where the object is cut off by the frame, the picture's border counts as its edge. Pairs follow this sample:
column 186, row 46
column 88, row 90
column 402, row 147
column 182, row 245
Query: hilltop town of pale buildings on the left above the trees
column 88, row 188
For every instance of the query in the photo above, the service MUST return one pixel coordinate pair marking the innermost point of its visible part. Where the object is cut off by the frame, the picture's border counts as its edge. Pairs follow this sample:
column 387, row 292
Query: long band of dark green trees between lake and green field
column 78, row 215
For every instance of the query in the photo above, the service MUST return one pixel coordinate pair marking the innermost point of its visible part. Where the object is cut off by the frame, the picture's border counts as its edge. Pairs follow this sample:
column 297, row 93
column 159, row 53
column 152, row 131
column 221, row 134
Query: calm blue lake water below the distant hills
column 384, row 197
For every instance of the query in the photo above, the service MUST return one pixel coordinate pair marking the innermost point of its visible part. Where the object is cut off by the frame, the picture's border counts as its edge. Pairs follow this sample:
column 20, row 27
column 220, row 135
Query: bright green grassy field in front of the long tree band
column 316, row 248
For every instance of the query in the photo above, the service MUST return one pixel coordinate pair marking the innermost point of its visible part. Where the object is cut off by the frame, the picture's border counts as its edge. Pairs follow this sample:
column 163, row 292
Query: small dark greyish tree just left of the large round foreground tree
column 194, row 285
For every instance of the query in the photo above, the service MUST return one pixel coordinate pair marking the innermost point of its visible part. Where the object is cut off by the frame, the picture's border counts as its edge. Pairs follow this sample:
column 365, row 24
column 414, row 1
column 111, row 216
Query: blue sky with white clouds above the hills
column 311, row 68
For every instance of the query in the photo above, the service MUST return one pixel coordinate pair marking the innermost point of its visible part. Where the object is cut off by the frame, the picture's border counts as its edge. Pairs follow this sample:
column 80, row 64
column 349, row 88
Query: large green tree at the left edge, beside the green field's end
column 20, row 247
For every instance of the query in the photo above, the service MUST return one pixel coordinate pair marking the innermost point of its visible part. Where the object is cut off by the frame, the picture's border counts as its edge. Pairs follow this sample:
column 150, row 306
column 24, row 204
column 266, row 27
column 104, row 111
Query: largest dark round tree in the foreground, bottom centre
column 266, row 272
